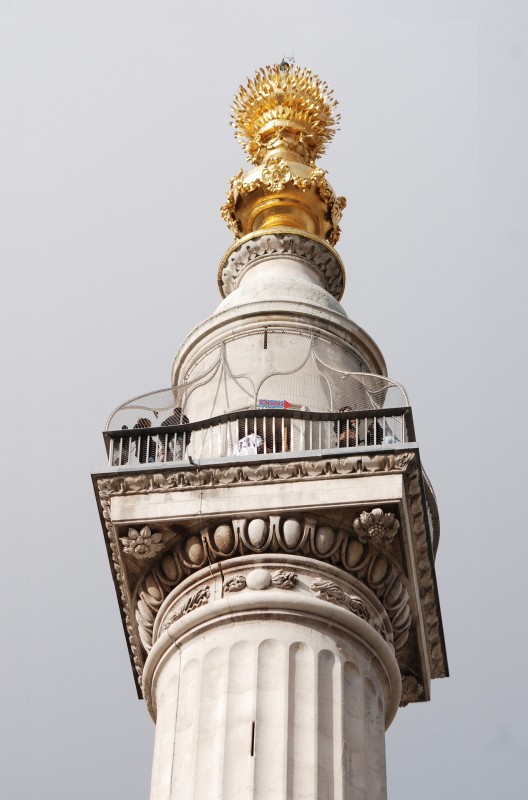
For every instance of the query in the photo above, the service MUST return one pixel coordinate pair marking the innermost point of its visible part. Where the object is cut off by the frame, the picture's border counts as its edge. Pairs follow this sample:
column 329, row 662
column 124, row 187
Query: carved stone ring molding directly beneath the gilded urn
column 316, row 253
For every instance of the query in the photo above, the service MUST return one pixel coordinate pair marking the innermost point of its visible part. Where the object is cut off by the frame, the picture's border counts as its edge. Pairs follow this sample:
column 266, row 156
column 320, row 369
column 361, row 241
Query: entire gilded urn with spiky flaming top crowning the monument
column 284, row 117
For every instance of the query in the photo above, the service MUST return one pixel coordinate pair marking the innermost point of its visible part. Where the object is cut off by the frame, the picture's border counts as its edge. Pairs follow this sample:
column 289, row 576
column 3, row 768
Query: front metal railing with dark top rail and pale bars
column 258, row 432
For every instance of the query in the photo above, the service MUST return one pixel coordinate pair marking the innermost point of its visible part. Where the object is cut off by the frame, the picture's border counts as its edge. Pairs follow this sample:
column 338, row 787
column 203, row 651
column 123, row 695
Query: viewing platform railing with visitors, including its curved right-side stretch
column 266, row 434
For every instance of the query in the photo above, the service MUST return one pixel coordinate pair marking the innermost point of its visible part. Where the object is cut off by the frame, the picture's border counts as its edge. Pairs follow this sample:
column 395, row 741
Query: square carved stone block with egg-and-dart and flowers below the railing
column 158, row 541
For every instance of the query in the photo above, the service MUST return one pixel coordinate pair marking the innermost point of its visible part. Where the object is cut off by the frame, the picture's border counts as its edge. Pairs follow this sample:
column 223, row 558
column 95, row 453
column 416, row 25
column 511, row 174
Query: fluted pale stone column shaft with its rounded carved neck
column 271, row 677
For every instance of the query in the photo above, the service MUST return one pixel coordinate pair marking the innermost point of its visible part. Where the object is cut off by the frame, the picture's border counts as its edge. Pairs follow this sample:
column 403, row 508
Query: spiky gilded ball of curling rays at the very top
column 290, row 108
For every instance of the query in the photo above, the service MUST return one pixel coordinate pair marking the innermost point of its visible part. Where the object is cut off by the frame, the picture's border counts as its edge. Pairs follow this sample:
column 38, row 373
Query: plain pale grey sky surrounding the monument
column 114, row 158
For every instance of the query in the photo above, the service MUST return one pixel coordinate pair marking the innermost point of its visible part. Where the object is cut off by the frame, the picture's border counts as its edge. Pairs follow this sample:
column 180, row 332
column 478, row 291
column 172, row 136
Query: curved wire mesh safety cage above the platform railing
column 272, row 368
